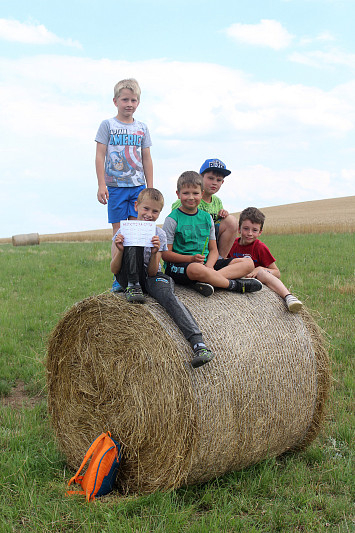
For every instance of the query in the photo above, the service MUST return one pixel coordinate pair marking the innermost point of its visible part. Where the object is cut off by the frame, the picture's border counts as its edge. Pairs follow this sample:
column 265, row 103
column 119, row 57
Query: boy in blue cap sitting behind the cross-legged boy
column 213, row 172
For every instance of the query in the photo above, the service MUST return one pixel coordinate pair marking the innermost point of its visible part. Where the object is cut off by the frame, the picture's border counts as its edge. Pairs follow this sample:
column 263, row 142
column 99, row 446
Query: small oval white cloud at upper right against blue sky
column 269, row 33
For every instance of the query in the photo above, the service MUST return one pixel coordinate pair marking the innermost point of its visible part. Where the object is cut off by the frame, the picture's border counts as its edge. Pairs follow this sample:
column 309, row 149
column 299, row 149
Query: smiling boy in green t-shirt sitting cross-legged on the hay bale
column 192, row 255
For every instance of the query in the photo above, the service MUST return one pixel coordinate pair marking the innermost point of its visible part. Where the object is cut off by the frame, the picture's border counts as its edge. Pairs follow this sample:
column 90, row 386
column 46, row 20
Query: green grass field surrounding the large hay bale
column 308, row 491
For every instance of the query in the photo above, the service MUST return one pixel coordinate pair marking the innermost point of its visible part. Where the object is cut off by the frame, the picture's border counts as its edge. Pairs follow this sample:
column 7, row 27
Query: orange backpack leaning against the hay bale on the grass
column 101, row 473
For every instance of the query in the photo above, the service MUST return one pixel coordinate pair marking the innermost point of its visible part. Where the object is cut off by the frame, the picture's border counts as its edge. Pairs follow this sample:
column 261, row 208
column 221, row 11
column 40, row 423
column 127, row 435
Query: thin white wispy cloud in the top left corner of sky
column 31, row 33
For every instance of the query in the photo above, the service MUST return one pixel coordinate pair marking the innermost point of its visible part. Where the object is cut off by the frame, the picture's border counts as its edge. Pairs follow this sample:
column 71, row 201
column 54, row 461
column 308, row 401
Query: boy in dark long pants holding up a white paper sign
column 138, row 267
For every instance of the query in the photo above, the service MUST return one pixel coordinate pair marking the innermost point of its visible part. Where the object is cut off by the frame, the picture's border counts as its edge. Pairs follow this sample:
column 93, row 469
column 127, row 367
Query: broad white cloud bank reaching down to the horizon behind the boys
column 51, row 107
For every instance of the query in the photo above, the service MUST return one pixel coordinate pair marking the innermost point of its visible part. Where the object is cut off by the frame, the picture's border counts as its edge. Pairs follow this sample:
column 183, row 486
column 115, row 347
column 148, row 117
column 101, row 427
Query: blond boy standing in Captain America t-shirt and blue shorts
column 123, row 162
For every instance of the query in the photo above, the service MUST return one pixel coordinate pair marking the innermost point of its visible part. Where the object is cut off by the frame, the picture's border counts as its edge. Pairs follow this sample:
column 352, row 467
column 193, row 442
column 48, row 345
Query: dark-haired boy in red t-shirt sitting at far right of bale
column 251, row 222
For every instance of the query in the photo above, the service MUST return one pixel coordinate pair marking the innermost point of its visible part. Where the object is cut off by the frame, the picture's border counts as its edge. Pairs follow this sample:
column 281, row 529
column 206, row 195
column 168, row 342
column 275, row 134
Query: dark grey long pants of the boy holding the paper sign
column 161, row 288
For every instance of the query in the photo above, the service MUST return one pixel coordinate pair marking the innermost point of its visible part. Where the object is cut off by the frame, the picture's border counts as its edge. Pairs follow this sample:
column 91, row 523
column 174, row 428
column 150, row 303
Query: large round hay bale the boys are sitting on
column 126, row 368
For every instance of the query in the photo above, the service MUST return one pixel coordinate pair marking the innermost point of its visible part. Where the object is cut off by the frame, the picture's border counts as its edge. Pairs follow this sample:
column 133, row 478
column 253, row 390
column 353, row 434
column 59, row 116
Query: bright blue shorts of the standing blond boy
column 120, row 203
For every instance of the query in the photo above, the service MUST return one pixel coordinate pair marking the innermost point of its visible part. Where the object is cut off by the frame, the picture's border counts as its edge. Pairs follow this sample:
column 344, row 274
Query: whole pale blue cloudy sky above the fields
column 266, row 86
